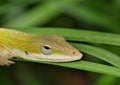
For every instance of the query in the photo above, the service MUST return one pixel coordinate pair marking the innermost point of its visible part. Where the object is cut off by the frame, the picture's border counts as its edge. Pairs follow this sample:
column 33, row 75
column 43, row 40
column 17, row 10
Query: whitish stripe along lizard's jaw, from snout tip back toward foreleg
column 48, row 58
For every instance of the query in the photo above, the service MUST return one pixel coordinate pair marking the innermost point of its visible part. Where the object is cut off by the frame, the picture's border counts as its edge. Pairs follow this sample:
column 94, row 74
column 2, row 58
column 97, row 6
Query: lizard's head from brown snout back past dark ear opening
column 51, row 48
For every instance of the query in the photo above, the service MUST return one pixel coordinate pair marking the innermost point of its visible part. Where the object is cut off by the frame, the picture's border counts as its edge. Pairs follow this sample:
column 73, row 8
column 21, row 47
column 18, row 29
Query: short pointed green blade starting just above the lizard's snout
column 99, row 53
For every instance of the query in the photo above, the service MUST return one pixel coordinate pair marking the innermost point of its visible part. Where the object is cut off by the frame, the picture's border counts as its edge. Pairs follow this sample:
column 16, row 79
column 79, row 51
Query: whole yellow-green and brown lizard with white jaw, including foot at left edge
column 51, row 48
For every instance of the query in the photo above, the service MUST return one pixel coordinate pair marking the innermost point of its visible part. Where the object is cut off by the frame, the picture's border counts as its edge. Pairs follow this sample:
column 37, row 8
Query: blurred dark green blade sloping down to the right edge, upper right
column 80, row 12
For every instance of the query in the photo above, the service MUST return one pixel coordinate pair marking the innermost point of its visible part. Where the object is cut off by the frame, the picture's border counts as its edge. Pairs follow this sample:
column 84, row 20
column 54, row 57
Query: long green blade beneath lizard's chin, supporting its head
column 84, row 65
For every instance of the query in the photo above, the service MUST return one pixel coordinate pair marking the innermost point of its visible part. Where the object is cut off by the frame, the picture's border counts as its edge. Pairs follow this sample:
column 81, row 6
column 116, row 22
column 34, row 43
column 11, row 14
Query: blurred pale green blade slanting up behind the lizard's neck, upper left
column 38, row 15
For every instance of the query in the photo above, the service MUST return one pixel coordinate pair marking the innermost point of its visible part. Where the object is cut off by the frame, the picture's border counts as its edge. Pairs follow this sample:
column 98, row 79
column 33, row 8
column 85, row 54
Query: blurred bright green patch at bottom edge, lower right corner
column 106, row 80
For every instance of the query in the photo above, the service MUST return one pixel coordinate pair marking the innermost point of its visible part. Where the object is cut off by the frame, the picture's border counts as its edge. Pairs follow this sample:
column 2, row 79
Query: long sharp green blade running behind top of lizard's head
column 78, row 35
